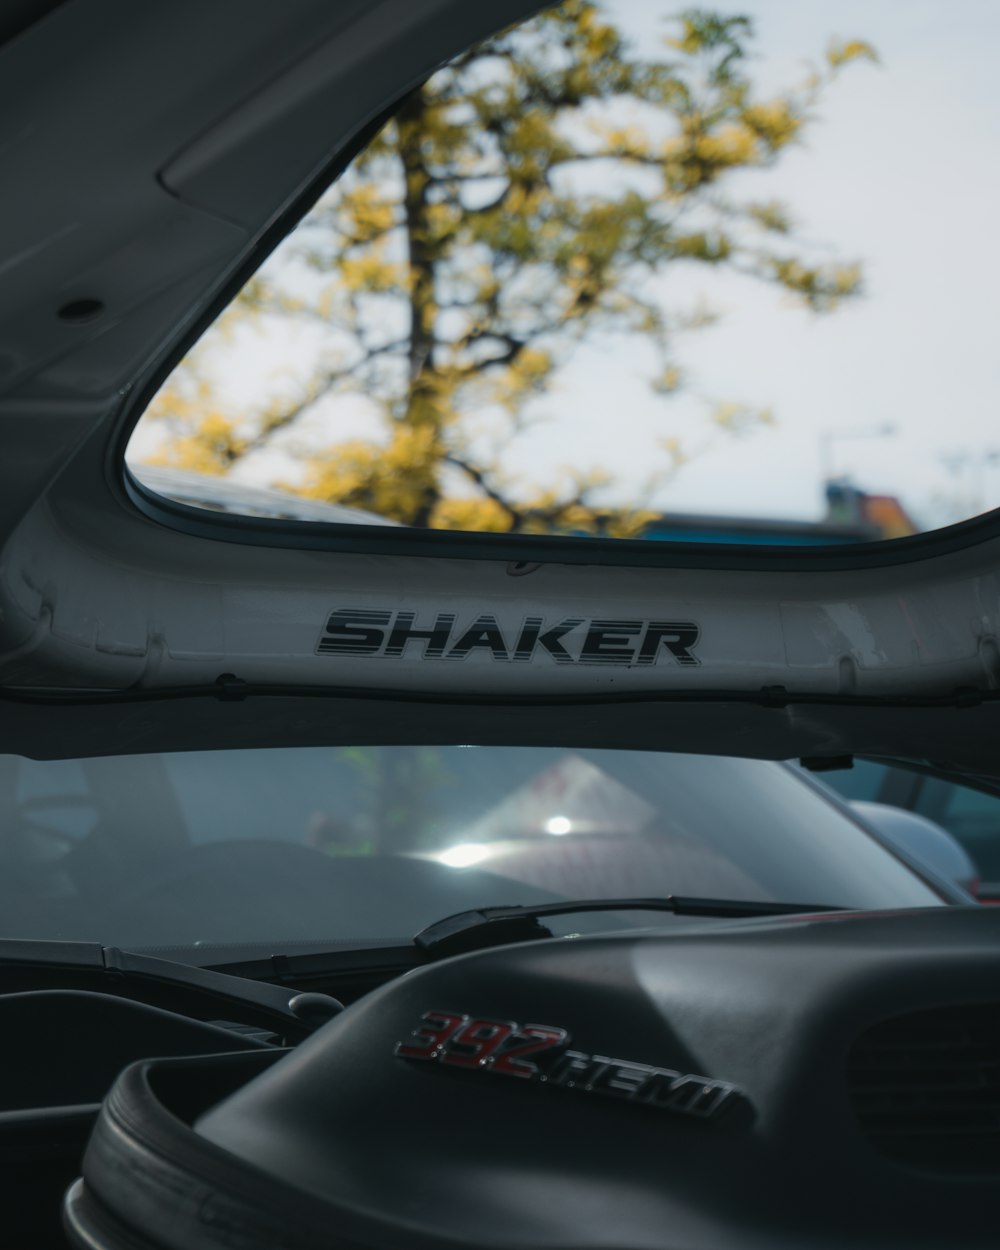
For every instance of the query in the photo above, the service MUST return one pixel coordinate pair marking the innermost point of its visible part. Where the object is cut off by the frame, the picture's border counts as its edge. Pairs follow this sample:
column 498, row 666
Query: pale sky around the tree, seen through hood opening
column 901, row 172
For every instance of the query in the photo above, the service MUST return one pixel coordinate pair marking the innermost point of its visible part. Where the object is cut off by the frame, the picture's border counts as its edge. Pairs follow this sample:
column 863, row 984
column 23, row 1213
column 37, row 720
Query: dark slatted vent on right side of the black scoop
column 927, row 1088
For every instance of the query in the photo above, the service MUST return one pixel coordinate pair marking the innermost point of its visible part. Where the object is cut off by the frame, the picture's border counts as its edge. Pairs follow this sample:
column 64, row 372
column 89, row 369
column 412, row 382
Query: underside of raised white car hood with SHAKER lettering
column 129, row 623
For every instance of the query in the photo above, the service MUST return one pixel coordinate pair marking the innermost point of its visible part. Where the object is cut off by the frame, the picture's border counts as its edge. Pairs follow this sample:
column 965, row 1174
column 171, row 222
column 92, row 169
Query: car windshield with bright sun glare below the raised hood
column 329, row 847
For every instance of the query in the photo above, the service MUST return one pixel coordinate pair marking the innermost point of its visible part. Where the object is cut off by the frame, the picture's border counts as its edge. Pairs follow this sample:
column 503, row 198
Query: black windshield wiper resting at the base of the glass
column 494, row 927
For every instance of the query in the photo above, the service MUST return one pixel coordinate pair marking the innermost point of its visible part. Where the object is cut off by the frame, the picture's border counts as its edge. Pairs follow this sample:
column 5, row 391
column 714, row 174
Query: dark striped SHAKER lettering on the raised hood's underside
column 372, row 632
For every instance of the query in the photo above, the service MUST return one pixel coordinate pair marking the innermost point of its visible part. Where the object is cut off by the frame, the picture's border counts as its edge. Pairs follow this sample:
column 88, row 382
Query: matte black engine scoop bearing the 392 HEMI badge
column 681, row 1089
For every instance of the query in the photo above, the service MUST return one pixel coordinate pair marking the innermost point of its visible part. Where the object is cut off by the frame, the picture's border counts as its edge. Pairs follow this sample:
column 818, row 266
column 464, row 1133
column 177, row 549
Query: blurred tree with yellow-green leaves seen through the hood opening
column 521, row 201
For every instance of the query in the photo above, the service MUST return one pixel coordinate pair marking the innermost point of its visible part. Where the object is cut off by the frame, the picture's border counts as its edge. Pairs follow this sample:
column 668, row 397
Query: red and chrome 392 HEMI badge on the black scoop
column 538, row 1053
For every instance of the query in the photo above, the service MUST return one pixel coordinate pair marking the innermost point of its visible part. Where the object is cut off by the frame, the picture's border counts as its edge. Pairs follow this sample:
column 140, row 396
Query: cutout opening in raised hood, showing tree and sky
column 724, row 234
